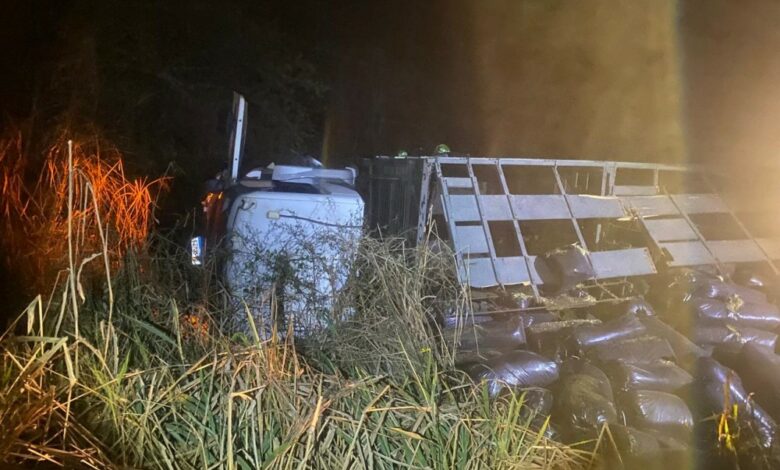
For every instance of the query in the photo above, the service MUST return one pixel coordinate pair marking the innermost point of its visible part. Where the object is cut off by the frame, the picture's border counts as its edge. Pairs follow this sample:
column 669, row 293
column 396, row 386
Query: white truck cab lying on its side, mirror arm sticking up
column 290, row 234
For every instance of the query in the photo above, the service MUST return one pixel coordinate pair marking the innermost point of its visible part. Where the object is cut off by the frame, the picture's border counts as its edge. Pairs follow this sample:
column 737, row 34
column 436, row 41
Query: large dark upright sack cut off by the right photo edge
column 759, row 369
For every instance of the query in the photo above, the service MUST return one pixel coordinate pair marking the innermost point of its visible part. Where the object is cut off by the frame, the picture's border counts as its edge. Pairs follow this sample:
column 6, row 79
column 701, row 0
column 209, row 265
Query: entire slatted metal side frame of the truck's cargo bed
column 451, row 187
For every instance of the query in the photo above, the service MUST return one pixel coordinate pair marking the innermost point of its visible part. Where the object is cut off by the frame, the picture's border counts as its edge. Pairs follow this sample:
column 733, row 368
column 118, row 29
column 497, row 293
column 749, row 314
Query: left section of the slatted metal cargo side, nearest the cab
column 469, row 216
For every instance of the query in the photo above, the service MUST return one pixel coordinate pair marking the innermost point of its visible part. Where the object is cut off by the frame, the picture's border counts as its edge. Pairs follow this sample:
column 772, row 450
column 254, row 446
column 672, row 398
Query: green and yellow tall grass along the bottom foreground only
column 251, row 407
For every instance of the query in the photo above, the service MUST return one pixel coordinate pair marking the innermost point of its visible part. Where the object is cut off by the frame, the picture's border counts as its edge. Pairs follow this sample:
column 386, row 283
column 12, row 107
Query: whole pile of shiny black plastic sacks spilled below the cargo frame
column 653, row 381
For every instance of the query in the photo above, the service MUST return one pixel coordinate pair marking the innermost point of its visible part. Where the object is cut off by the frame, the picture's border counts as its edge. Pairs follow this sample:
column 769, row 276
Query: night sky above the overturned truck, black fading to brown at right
column 629, row 80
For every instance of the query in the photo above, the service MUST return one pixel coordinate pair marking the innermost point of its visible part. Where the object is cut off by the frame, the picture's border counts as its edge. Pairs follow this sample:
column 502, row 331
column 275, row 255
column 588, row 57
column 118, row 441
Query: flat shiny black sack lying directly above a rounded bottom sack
column 662, row 376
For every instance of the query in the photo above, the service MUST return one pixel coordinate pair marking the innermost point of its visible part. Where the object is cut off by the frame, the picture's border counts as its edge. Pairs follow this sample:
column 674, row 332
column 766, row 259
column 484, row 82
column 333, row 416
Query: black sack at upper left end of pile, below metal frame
column 503, row 334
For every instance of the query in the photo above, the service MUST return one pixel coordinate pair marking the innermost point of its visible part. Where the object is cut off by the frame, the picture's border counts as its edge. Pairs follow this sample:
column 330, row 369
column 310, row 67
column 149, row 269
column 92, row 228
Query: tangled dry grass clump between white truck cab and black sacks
column 398, row 294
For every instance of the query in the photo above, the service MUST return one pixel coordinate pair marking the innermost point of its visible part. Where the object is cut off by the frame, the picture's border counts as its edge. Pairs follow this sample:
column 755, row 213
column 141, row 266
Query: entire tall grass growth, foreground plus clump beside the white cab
column 131, row 381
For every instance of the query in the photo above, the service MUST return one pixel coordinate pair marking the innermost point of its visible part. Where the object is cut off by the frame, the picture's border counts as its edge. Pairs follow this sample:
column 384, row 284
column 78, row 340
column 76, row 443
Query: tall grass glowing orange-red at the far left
column 48, row 201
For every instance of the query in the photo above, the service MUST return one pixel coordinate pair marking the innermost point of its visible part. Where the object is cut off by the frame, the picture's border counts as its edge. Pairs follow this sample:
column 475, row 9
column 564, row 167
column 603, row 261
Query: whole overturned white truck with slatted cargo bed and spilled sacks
column 623, row 296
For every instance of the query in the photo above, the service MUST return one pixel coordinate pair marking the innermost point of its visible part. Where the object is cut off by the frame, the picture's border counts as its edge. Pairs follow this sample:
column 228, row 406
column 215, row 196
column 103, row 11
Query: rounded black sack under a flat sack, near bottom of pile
column 658, row 411
